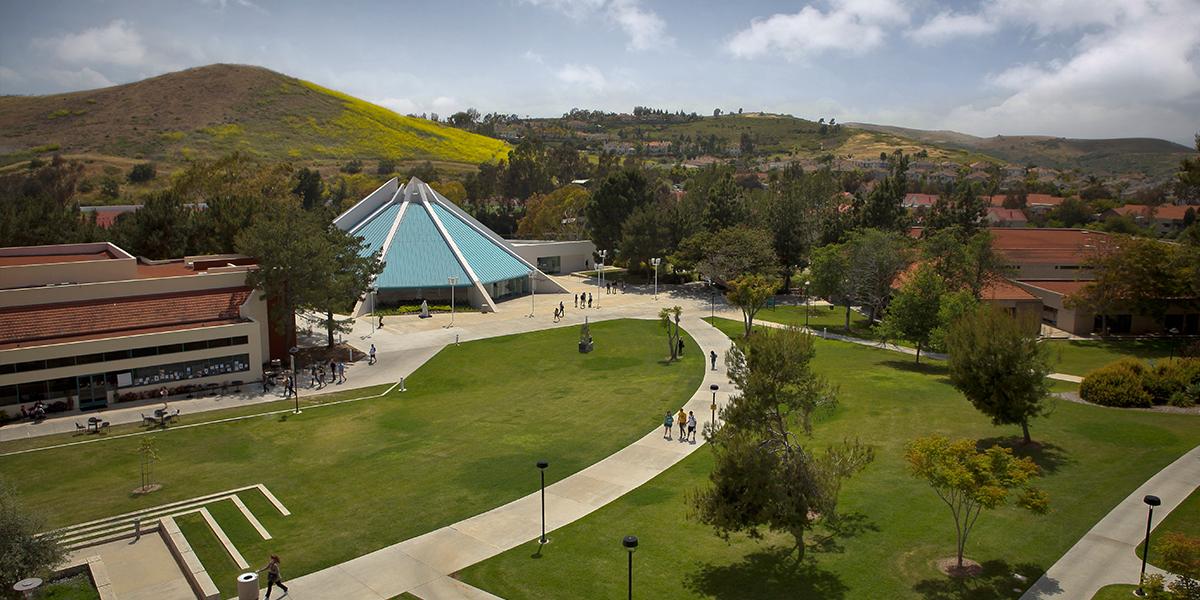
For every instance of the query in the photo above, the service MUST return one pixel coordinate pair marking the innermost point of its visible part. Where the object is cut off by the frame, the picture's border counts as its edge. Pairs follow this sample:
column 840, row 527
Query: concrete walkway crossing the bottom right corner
column 1108, row 553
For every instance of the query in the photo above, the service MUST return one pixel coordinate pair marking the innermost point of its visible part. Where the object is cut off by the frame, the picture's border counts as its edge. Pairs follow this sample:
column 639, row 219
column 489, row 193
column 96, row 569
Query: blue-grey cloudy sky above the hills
column 1090, row 69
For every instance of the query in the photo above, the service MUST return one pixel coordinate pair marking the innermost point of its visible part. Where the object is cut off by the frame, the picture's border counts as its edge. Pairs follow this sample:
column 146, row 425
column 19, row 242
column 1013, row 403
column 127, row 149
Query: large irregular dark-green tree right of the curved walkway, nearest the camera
column 764, row 477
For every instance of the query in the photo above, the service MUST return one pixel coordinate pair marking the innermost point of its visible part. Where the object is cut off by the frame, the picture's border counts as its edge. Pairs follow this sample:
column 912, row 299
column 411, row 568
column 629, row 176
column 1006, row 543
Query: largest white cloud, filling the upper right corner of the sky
column 1144, row 71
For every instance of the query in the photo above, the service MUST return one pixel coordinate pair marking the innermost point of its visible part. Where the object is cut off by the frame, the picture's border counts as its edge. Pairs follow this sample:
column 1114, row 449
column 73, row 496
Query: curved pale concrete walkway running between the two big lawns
column 423, row 565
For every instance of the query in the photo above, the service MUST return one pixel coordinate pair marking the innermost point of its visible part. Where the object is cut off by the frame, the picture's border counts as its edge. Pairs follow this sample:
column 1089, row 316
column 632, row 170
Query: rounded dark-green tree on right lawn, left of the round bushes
column 1001, row 367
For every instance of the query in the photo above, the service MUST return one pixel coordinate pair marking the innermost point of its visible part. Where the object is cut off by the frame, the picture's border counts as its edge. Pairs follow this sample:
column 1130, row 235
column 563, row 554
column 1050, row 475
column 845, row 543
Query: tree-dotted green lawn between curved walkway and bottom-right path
column 1093, row 458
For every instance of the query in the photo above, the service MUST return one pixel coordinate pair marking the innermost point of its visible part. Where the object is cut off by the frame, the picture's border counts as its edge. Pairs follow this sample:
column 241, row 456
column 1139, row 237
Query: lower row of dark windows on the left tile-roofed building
column 87, row 387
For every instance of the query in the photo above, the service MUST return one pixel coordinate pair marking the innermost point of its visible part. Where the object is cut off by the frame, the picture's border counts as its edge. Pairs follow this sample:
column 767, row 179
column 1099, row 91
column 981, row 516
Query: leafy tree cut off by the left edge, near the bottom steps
column 23, row 554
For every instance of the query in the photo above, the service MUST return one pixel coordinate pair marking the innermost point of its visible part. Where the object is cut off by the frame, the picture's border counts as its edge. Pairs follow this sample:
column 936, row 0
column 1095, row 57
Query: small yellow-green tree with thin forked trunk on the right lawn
column 969, row 481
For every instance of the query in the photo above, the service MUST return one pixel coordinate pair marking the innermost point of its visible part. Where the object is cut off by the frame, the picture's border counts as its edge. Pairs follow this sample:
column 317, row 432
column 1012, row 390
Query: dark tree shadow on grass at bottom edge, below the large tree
column 772, row 573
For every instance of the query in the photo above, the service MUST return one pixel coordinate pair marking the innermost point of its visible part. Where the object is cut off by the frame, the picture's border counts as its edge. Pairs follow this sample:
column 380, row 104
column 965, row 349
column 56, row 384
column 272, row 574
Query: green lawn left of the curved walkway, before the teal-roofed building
column 362, row 476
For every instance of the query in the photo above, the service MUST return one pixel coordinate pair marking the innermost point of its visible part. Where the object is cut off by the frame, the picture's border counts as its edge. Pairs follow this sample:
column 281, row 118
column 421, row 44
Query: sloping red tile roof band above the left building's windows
column 41, row 325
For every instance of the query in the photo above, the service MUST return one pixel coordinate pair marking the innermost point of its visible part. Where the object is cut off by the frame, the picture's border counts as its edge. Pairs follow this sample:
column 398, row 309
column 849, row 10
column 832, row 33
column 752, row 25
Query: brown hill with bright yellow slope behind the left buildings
column 221, row 109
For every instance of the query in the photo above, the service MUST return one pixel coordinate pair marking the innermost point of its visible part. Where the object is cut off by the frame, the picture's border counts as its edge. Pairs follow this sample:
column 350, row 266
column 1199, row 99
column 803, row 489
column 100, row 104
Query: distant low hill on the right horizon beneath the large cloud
column 1154, row 158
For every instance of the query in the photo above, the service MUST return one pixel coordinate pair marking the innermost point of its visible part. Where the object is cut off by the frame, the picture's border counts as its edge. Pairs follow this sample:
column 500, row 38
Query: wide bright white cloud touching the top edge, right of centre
column 849, row 26
